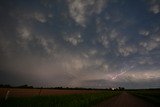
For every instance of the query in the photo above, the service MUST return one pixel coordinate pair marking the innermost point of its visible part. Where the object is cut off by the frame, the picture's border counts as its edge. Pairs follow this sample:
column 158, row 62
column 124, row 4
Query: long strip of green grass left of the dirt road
column 76, row 100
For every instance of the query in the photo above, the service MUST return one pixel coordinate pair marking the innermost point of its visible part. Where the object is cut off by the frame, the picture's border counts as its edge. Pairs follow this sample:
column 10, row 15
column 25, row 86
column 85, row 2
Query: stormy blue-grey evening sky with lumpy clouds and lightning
column 80, row 43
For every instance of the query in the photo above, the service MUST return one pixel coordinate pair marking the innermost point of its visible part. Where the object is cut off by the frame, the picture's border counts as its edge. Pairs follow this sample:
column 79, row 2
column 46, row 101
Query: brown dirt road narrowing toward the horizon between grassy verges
column 125, row 100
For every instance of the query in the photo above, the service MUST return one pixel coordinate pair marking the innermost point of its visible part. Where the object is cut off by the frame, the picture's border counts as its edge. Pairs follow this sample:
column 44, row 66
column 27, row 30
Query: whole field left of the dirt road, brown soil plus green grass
column 53, row 98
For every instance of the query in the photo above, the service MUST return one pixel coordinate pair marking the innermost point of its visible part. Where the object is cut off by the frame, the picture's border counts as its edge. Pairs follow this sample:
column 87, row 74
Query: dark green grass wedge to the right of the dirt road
column 148, row 95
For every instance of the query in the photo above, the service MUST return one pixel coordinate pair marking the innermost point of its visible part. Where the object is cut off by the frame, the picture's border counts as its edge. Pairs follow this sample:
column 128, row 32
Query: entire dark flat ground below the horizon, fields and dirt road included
column 20, row 97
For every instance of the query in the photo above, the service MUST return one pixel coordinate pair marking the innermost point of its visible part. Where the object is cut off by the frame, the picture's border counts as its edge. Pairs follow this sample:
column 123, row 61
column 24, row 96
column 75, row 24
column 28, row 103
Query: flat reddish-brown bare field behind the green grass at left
column 15, row 92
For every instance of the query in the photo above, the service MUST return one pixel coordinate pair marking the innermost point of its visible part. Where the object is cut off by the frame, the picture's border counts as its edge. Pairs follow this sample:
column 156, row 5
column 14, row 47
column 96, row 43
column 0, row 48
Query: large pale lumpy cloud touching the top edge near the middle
column 82, row 10
